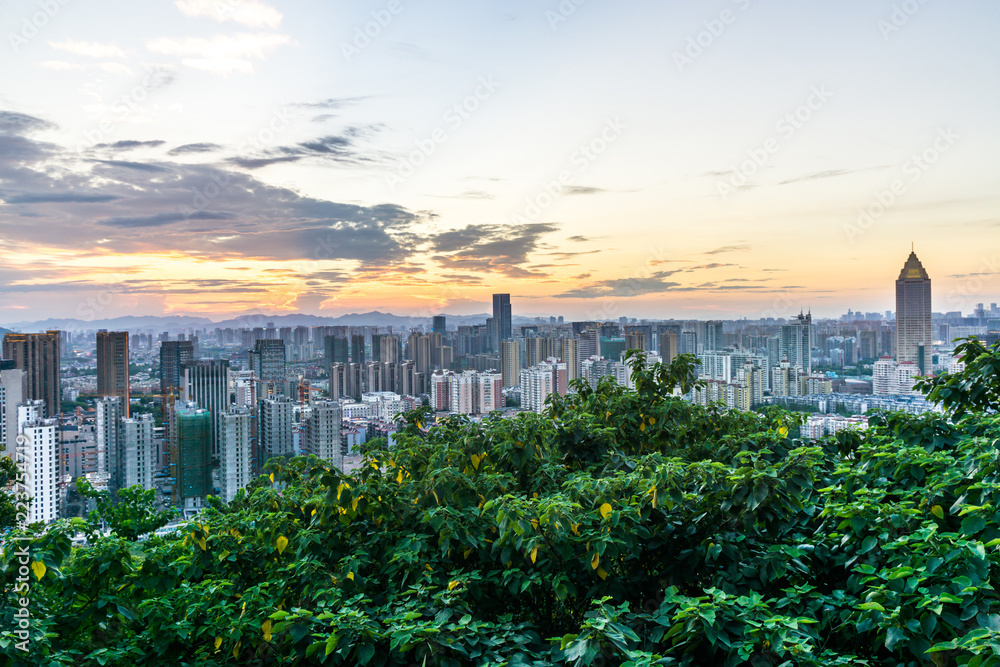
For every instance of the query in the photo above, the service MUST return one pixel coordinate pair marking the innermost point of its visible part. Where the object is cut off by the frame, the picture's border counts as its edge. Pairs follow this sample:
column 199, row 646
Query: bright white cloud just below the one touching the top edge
column 221, row 54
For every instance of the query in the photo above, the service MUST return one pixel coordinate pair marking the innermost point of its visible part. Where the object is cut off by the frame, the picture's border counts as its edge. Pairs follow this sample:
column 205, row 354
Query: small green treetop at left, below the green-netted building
column 130, row 516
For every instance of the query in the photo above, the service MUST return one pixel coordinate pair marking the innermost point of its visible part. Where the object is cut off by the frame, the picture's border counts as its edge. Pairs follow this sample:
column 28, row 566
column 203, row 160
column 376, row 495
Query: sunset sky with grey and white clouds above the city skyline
column 594, row 159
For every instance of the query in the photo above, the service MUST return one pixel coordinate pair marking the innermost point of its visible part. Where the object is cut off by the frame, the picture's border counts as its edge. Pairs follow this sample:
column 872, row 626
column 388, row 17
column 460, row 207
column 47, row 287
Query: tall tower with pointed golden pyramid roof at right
column 914, row 340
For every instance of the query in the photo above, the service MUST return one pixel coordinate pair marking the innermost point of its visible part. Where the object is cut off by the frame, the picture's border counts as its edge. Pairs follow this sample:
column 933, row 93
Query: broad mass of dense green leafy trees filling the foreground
column 619, row 528
